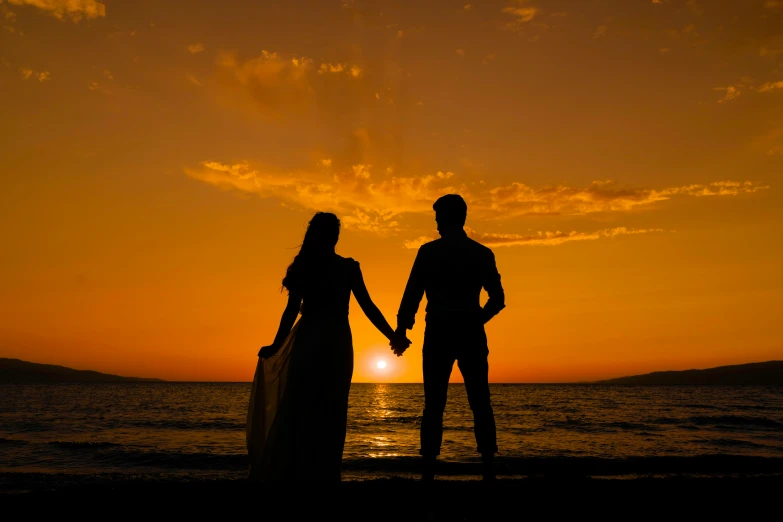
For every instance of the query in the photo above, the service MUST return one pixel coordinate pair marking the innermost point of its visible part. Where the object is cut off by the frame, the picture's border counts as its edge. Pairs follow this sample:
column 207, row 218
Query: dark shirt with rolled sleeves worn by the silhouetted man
column 451, row 271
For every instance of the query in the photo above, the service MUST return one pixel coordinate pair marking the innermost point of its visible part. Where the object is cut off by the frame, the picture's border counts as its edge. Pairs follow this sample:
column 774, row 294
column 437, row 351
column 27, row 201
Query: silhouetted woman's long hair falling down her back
column 321, row 236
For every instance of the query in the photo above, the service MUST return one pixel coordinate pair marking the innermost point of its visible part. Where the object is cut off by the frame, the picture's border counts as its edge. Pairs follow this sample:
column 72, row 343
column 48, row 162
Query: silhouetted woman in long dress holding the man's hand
column 299, row 399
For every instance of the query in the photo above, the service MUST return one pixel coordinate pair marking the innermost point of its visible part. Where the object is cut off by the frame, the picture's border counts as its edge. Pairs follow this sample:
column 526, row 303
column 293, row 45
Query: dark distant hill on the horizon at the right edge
column 763, row 373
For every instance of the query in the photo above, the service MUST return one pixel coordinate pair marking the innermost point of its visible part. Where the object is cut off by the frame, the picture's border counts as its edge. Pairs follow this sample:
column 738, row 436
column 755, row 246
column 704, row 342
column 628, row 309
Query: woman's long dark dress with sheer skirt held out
column 299, row 399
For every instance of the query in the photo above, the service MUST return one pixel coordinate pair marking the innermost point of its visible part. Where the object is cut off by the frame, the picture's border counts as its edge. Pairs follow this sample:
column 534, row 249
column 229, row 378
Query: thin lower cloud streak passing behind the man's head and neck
column 539, row 238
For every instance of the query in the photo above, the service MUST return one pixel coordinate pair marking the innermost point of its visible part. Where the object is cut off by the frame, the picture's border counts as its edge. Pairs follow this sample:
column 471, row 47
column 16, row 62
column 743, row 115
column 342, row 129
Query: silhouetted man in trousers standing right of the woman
column 452, row 271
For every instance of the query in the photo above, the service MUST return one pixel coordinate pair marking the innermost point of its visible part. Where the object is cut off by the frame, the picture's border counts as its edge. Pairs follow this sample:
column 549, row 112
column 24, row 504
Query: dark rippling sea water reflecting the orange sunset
column 199, row 429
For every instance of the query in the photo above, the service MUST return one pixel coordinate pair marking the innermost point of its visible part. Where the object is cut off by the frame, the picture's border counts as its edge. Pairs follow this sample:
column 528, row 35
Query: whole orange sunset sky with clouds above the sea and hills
column 159, row 162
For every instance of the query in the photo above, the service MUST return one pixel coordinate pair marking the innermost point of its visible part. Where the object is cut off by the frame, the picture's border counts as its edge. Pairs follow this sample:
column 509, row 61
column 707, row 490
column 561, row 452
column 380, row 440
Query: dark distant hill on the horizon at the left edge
column 18, row 371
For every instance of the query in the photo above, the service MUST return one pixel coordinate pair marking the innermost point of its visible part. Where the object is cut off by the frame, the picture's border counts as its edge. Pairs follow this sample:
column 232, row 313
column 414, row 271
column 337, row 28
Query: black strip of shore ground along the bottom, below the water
column 127, row 497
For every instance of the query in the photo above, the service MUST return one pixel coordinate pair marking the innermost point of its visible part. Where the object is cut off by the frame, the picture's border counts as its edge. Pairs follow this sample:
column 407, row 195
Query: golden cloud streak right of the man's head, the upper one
column 600, row 196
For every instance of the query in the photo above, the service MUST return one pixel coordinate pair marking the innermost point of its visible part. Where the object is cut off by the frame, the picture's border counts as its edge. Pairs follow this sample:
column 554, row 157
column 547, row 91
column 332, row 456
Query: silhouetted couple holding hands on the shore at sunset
column 299, row 400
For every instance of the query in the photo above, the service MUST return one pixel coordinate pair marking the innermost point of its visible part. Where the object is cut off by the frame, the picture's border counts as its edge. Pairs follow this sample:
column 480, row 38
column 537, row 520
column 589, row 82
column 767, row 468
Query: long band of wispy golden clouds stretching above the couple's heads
column 372, row 199
